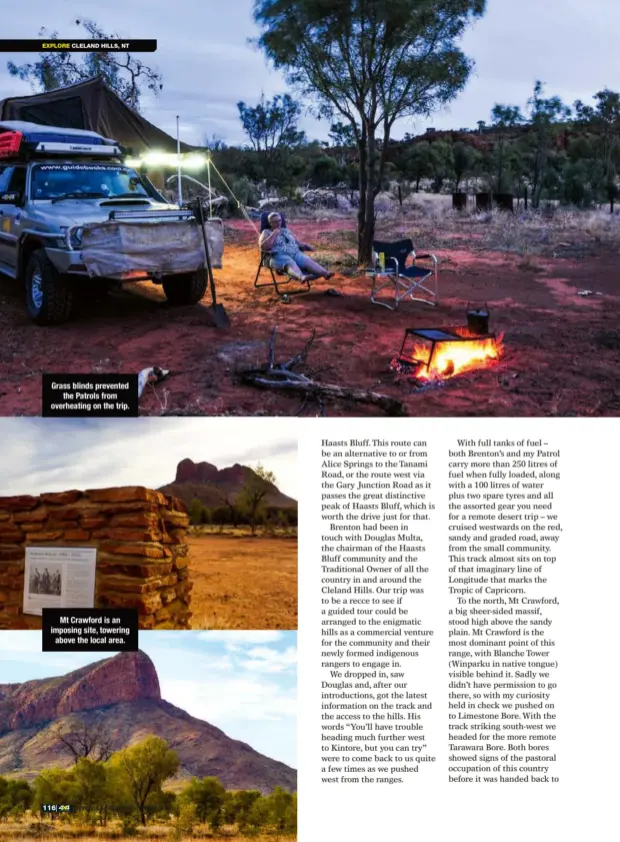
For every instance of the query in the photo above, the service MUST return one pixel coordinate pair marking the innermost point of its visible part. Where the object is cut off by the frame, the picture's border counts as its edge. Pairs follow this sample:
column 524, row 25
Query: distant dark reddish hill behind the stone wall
column 210, row 485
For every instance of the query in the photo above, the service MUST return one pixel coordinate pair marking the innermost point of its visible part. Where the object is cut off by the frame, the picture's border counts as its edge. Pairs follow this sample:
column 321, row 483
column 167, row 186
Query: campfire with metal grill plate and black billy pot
column 439, row 353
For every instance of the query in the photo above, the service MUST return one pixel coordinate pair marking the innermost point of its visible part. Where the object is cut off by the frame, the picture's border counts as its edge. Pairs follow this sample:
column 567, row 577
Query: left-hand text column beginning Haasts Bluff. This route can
column 377, row 512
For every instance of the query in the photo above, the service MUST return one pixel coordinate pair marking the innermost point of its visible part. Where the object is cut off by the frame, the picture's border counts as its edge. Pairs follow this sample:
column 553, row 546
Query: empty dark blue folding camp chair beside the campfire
column 414, row 281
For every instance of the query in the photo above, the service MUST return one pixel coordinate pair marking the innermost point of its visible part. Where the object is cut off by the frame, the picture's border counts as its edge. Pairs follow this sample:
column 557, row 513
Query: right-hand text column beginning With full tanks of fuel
column 503, row 534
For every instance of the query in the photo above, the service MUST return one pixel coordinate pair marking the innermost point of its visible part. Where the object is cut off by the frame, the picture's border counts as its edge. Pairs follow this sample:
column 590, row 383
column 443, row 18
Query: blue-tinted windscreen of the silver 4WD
column 55, row 181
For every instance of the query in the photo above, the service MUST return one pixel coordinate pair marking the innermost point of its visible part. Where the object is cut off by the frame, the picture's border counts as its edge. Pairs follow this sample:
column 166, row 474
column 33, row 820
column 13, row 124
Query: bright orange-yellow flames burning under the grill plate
column 452, row 358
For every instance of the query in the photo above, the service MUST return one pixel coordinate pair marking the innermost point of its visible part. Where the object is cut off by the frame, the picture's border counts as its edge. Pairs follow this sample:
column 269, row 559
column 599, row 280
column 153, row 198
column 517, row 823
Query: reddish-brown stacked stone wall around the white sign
column 141, row 551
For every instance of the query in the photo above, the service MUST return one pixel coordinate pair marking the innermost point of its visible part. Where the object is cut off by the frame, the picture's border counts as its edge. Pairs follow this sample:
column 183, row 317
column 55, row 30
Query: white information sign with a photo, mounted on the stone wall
column 59, row 577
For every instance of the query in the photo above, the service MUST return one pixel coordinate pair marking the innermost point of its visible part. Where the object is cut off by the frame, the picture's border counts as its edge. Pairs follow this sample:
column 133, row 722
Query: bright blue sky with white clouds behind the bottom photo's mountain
column 242, row 682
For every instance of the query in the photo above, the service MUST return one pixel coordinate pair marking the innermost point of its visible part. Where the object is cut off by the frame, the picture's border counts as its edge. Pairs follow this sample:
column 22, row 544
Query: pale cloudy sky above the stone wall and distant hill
column 40, row 455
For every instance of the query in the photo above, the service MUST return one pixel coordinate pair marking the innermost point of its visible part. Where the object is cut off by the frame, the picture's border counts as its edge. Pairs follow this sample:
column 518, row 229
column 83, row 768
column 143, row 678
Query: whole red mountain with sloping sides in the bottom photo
column 121, row 697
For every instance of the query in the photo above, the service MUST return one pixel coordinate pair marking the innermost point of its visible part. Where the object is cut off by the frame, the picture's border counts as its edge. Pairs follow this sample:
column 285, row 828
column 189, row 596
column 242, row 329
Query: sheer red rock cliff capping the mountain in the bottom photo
column 127, row 677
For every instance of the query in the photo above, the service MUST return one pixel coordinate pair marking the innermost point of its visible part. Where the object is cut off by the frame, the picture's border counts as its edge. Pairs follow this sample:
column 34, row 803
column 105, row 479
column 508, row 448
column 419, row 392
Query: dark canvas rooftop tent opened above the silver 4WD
column 91, row 106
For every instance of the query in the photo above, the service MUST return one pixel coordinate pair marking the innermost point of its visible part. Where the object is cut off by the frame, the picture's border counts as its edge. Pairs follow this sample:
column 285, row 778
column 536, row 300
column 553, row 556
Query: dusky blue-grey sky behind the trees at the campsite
column 208, row 65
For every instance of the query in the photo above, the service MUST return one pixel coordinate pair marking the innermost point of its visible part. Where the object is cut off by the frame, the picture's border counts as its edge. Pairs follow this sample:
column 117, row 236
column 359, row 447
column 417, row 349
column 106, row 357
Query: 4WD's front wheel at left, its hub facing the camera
column 49, row 295
